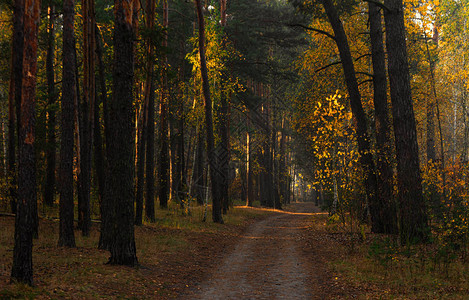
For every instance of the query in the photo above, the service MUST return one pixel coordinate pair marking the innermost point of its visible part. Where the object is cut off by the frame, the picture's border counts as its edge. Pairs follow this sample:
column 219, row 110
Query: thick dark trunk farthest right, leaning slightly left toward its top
column 413, row 216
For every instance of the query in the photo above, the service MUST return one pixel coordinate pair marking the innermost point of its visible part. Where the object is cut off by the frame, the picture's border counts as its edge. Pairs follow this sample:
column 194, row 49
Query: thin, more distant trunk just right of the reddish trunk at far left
column 49, row 189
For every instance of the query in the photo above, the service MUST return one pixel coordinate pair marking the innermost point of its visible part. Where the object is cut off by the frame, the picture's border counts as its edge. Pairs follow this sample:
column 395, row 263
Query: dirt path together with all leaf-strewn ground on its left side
column 258, row 253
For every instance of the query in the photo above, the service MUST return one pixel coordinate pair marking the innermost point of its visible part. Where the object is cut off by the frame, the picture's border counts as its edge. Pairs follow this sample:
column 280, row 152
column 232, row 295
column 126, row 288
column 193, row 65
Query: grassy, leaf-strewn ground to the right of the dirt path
column 378, row 269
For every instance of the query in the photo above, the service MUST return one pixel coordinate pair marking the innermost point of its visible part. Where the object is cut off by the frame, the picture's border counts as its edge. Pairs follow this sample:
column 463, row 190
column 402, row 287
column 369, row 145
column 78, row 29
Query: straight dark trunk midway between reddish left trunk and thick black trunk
column 66, row 233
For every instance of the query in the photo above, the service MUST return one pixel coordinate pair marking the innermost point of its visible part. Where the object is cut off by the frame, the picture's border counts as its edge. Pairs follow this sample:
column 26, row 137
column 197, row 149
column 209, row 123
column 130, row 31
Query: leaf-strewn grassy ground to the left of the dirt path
column 174, row 254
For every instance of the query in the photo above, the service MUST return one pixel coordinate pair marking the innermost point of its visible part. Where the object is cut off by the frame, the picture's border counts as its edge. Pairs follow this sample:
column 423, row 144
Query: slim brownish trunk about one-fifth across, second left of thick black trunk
column 87, row 121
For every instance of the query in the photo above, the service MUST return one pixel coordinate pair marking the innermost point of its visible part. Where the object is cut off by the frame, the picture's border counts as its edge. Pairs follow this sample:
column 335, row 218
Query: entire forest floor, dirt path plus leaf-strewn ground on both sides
column 296, row 253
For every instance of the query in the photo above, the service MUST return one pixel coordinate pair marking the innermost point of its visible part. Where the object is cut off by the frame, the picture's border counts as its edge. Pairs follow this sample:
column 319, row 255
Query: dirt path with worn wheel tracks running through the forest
column 270, row 262
